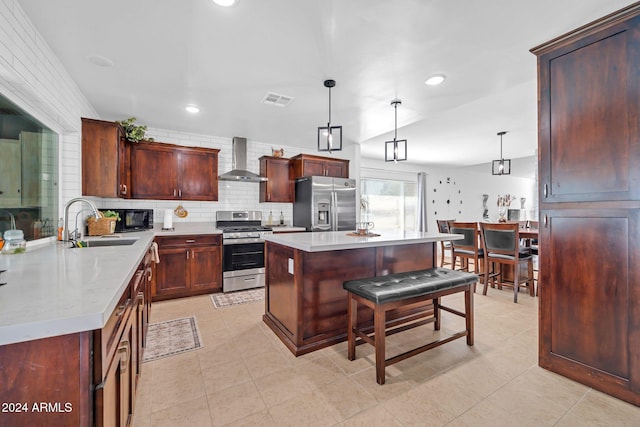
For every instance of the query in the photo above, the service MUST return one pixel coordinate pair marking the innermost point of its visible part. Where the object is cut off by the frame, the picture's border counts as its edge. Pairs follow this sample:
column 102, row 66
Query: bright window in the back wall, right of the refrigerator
column 390, row 204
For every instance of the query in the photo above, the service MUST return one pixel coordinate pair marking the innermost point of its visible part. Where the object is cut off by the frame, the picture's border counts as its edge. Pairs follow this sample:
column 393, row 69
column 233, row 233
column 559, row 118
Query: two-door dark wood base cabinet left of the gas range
column 189, row 265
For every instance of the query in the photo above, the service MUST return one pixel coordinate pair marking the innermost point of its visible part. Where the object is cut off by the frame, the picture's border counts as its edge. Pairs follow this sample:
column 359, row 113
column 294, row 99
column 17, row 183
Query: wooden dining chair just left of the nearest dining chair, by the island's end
column 467, row 249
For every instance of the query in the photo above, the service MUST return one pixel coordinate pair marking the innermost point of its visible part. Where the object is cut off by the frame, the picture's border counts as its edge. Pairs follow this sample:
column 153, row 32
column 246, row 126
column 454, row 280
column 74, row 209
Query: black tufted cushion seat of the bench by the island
column 398, row 286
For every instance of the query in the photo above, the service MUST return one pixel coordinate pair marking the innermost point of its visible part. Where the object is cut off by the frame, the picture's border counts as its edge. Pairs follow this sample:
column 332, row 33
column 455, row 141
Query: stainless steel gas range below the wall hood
column 243, row 255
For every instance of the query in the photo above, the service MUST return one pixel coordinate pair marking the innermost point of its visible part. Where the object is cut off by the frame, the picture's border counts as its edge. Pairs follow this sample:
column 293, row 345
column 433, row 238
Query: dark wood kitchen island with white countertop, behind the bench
column 305, row 304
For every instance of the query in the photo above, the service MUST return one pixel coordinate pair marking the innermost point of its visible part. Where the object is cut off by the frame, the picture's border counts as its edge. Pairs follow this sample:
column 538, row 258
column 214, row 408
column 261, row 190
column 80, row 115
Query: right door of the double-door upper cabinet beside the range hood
column 198, row 179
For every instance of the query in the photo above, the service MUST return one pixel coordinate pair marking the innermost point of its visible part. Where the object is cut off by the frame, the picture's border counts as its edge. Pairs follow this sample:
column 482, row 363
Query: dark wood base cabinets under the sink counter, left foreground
column 82, row 379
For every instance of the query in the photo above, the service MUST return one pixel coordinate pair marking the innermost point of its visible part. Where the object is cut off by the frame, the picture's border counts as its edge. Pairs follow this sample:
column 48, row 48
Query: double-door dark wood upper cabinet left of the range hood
column 172, row 172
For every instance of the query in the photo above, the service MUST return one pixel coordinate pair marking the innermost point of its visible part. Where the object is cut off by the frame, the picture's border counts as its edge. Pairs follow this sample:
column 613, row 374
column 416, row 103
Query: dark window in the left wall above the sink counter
column 28, row 173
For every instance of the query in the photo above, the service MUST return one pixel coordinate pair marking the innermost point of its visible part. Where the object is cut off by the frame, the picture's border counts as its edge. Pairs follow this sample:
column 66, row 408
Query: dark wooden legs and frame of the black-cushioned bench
column 380, row 331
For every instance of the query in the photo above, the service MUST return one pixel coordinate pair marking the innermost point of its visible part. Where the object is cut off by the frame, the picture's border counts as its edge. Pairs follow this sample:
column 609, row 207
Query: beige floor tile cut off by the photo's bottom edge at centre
column 305, row 410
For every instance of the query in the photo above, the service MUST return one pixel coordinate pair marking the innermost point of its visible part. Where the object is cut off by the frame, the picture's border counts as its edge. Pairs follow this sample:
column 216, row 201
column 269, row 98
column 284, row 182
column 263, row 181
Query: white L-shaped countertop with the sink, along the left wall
column 55, row 290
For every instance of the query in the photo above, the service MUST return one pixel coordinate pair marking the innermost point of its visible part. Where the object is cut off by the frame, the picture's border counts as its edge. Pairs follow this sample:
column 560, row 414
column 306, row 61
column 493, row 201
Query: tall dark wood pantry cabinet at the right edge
column 589, row 183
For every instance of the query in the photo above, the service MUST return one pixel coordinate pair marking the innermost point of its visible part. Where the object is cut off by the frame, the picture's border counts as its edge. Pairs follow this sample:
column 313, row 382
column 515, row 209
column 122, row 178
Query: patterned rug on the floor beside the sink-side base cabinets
column 171, row 337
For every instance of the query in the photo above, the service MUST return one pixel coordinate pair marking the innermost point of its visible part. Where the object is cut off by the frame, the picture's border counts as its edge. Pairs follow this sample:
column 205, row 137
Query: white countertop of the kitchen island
column 320, row 241
